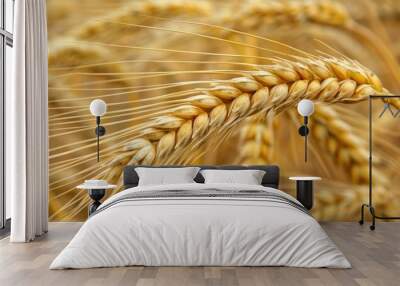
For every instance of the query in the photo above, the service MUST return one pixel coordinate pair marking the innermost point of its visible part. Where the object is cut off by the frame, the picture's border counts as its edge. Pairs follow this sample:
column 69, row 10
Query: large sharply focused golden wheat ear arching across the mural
column 276, row 88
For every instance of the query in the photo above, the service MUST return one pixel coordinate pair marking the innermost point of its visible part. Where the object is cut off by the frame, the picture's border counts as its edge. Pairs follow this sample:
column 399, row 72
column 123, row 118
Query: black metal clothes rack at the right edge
column 370, row 205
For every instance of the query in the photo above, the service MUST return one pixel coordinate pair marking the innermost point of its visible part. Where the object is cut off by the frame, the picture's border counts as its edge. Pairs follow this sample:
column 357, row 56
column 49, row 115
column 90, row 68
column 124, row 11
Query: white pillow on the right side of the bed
column 248, row 177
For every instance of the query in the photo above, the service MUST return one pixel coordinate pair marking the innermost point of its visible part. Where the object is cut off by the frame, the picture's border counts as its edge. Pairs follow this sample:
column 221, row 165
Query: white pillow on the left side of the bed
column 166, row 176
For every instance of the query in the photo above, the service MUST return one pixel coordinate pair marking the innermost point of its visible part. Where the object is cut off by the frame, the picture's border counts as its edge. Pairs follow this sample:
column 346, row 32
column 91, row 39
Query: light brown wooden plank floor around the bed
column 375, row 257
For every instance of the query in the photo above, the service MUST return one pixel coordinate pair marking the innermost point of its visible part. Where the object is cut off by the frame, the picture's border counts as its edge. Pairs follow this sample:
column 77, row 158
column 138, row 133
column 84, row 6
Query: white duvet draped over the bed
column 185, row 231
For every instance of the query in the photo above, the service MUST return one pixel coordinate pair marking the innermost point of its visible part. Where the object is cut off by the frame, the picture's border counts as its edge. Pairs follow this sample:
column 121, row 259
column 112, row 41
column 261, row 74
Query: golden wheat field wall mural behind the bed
column 218, row 82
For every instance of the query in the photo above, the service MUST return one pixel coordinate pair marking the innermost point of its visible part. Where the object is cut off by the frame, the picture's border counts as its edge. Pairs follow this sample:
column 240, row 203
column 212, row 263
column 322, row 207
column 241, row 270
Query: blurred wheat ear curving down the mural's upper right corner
column 323, row 12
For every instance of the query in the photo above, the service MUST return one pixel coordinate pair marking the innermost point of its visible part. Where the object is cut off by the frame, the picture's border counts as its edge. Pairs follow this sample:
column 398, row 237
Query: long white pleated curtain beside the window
column 26, row 124
